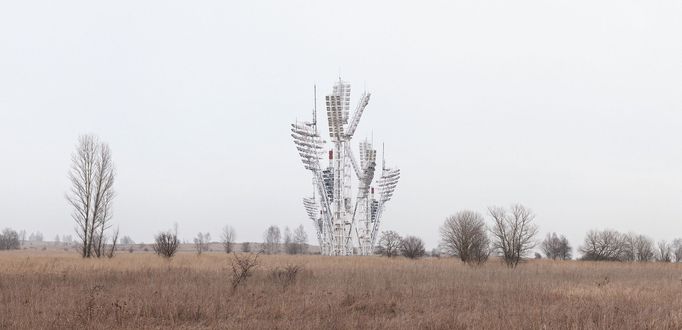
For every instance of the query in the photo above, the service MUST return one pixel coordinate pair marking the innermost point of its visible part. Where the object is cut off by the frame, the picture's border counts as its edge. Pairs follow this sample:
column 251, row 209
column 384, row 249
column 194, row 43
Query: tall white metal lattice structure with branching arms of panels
column 344, row 225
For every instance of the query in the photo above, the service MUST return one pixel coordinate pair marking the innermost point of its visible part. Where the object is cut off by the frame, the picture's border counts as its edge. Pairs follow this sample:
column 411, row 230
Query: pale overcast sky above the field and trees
column 572, row 108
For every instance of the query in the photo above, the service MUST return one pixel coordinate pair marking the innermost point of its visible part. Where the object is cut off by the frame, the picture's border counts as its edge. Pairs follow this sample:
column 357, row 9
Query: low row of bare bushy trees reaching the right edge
column 611, row 245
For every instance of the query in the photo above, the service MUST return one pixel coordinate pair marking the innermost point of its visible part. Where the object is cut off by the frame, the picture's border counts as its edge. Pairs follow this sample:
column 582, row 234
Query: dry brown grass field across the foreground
column 143, row 291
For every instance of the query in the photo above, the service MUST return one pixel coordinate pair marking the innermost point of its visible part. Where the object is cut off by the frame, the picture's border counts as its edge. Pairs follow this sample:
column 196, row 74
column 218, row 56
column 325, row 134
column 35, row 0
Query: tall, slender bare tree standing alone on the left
column 91, row 195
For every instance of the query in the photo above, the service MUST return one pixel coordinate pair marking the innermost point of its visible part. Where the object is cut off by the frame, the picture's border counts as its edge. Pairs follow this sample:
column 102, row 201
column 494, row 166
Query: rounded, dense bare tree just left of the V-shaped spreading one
column 464, row 235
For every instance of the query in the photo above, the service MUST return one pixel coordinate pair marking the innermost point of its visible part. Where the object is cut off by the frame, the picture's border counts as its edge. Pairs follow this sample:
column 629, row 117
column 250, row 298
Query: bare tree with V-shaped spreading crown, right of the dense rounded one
column 513, row 233
